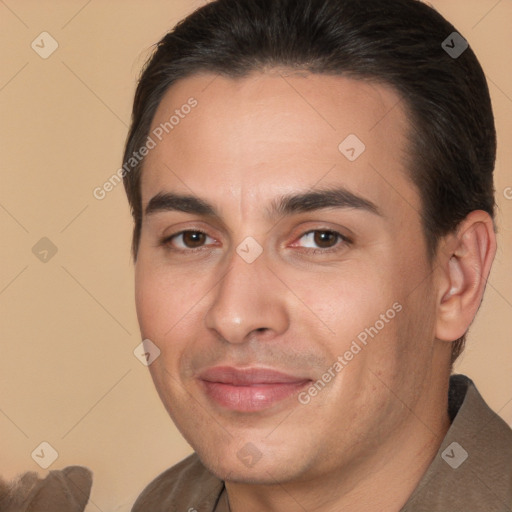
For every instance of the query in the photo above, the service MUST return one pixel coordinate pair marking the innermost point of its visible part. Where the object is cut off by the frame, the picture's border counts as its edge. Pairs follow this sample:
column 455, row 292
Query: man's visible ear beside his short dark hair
column 464, row 260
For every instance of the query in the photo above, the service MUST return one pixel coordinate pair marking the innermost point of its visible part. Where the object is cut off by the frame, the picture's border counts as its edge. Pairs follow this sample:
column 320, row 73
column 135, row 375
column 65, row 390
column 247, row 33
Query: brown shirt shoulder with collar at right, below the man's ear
column 473, row 467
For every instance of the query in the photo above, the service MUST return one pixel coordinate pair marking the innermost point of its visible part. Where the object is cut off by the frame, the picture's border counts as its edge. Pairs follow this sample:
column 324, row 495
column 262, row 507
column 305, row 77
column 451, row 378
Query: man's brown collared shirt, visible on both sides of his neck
column 472, row 471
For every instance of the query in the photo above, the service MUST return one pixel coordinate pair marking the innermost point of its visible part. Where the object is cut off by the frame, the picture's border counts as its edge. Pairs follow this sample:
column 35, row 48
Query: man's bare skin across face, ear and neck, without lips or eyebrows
column 364, row 441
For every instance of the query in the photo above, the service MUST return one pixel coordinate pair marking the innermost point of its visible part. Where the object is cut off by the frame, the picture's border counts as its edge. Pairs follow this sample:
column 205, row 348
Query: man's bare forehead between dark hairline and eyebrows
column 276, row 133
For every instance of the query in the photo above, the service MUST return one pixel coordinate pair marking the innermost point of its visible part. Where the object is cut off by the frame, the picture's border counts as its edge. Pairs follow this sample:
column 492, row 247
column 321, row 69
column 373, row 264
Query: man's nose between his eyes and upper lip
column 249, row 299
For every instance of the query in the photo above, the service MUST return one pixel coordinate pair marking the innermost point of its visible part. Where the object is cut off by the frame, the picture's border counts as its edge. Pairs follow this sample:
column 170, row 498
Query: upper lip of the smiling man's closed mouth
column 248, row 376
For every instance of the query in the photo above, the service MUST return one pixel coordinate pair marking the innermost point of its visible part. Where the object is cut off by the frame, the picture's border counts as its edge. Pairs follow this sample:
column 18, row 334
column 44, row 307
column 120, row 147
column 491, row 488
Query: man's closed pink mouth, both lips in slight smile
column 249, row 389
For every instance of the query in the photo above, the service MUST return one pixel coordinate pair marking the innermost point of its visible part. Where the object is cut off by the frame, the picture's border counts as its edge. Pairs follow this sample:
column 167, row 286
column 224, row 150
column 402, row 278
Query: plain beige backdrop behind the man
column 67, row 370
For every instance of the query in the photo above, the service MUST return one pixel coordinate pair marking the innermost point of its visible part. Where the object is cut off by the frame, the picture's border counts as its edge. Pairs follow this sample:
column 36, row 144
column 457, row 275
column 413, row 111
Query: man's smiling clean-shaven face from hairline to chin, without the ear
column 283, row 273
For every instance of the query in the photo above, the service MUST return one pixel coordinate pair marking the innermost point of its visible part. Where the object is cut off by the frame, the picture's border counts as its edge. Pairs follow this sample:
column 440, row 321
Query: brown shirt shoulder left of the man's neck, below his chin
column 187, row 485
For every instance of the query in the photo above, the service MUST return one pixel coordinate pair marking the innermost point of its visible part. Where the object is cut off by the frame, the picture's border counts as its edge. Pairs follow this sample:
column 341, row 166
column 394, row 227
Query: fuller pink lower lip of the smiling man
column 251, row 398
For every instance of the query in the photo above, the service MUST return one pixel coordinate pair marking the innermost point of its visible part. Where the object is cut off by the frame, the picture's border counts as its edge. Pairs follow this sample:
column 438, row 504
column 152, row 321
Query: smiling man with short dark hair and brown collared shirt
column 311, row 184
